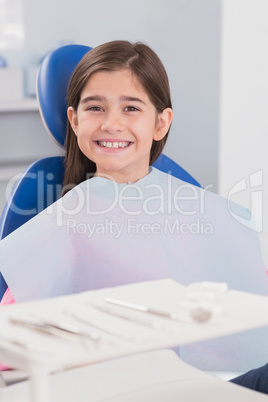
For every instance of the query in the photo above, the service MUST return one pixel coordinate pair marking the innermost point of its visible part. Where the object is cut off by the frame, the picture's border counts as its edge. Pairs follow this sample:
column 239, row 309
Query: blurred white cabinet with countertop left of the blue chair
column 23, row 139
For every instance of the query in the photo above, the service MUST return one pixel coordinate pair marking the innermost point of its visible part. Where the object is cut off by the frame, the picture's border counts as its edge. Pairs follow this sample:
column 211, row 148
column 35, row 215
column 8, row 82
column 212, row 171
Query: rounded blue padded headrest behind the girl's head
column 52, row 82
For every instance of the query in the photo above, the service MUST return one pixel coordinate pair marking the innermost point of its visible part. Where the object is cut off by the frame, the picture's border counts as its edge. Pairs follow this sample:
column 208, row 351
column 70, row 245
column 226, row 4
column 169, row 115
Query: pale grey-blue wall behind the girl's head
column 185, row 34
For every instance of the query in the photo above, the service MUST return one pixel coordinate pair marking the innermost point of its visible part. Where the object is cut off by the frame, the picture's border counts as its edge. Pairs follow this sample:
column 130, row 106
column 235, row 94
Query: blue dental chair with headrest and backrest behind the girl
column 40, row 185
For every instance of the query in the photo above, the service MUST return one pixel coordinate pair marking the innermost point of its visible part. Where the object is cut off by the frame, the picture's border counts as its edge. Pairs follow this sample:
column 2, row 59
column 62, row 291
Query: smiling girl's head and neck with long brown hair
column 118, row 68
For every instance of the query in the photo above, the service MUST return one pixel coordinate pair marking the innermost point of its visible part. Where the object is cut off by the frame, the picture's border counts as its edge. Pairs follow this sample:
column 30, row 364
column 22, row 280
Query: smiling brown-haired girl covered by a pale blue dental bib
column 121, row 221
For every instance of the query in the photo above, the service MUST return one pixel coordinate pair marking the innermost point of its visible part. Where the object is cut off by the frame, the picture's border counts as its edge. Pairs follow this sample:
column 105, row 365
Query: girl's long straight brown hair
column 146, row 66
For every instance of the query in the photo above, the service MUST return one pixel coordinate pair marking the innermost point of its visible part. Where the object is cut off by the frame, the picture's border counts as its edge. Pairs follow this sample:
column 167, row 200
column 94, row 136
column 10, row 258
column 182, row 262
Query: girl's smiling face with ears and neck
column 116, row 123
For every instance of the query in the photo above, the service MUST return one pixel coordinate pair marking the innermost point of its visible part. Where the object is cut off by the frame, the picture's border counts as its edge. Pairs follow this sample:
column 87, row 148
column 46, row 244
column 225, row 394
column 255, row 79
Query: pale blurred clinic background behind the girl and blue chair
column 216, row 56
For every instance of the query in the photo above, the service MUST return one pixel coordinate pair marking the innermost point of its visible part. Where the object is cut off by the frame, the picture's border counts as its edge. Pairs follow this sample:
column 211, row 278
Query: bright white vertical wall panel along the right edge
column 243, row 162
